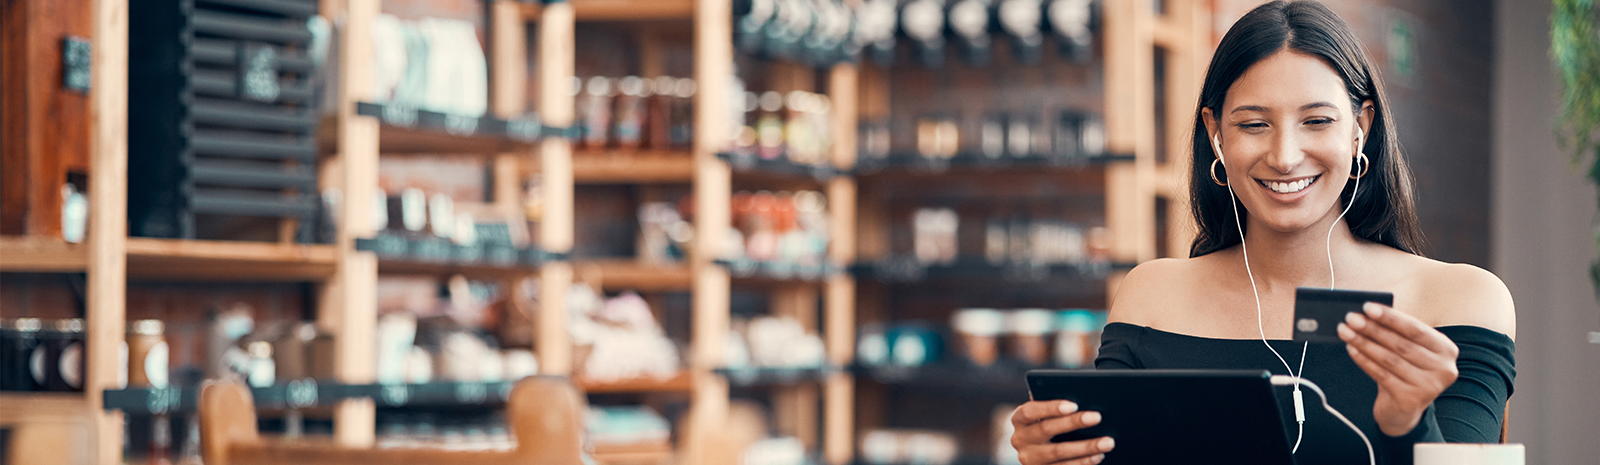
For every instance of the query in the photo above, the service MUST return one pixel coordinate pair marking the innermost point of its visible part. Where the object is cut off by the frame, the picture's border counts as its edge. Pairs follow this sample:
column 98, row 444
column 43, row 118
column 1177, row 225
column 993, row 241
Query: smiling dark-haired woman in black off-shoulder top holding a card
column 1294, row 124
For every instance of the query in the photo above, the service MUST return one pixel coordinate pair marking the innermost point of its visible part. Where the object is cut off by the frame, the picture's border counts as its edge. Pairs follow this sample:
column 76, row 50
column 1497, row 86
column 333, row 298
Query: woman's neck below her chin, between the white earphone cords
column 1294, row 260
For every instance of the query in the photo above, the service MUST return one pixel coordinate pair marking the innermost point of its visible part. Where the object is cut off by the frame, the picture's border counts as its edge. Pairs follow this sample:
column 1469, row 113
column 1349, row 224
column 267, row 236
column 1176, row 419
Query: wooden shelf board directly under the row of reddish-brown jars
column 649, row 167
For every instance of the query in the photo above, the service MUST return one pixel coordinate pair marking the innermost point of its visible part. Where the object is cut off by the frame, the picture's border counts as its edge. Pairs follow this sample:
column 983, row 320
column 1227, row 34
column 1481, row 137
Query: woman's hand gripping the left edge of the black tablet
column 1039, row 421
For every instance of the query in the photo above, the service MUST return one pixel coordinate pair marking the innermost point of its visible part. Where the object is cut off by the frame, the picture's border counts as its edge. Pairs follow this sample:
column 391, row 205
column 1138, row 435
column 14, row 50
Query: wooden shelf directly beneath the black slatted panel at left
column 228, row 261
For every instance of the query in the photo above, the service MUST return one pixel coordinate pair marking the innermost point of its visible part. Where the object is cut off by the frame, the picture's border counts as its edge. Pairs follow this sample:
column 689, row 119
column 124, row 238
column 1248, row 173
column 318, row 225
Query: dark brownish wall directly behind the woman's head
column 1442, row 106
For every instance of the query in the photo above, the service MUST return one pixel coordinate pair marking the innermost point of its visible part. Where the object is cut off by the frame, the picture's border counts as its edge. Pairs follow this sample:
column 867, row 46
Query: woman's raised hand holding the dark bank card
column 1412, row 364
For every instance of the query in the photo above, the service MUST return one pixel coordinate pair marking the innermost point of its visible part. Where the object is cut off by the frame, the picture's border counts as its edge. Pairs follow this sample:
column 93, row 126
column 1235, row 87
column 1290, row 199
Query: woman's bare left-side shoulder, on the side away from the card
column 1151, row 288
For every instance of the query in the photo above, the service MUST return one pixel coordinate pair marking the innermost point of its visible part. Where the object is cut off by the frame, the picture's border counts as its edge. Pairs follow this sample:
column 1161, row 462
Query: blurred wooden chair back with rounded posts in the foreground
column 545, row 415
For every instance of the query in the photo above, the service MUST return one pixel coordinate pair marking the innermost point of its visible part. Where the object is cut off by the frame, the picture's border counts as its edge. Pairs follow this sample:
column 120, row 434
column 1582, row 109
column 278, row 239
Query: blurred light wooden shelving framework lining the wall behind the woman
column 354, row 140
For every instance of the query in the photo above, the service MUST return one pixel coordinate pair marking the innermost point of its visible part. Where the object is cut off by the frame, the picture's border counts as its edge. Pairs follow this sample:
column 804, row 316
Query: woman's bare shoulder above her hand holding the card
column 1462, row 295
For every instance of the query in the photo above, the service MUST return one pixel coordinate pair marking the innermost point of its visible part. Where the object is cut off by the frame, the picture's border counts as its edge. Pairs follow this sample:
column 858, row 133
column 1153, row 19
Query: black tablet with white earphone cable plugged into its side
column 1174, row 416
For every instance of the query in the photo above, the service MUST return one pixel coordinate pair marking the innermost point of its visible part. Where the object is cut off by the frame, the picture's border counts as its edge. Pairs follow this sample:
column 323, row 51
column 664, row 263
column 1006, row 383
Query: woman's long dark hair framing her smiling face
column 1386, row 213
